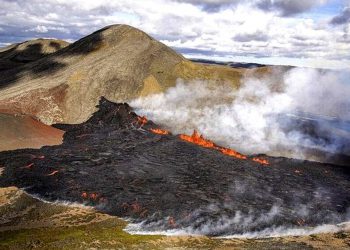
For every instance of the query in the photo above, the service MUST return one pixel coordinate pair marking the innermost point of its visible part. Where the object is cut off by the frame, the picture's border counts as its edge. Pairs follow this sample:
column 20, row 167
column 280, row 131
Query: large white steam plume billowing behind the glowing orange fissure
column 287, row 113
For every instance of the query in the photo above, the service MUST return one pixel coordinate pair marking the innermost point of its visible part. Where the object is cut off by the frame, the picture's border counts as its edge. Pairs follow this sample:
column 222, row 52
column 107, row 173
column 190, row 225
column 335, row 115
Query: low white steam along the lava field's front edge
column 249, row 222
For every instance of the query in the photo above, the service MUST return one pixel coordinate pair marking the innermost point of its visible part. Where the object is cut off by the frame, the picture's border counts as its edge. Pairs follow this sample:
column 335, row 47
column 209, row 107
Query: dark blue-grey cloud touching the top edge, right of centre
column 288, row 7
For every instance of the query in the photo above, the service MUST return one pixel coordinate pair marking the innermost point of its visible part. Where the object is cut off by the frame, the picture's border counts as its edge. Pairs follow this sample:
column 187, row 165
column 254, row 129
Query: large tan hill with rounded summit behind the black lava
column 119, row 62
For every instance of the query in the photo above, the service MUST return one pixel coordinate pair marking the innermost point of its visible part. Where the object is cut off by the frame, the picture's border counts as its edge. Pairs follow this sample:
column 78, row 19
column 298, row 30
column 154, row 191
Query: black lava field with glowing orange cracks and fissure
column 115, row 162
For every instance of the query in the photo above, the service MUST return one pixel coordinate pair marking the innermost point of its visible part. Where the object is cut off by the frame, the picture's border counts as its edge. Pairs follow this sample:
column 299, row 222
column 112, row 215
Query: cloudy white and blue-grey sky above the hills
column 310, row 33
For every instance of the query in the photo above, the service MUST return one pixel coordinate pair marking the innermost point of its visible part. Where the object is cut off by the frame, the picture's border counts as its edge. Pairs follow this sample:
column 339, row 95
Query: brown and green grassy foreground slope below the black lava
column 49, row 225
